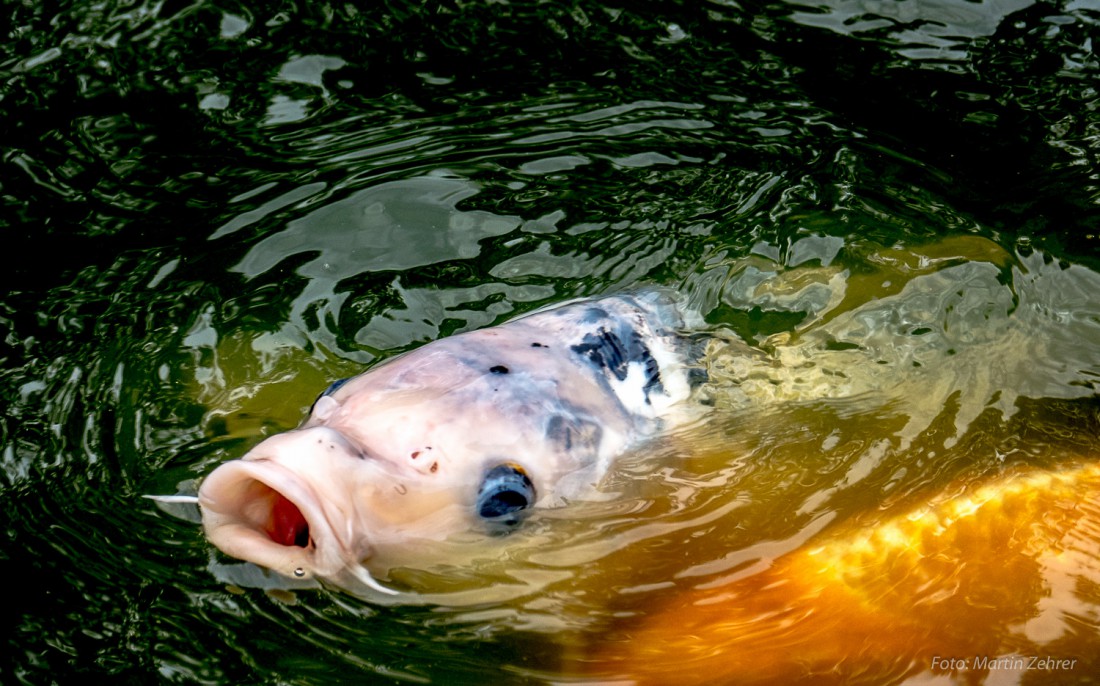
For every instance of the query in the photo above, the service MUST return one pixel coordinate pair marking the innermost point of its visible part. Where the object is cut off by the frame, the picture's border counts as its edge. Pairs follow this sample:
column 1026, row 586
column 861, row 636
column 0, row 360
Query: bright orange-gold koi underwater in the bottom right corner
column 1000, row 579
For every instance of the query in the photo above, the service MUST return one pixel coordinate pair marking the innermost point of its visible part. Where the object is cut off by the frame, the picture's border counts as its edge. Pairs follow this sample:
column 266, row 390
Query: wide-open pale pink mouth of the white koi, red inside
column 260, row 512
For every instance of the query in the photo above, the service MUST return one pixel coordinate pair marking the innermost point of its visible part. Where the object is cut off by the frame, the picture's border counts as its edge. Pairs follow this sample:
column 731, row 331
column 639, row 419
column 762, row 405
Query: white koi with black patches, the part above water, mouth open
column 467, row 433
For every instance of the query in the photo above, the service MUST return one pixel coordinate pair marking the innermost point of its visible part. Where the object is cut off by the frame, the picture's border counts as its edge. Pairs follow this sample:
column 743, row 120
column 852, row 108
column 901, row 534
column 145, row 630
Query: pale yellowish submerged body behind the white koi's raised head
column 953, row 323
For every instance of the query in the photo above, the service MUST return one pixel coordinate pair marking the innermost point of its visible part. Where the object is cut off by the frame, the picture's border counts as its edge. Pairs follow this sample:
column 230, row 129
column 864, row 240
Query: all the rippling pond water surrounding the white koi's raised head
column 885, row 215
